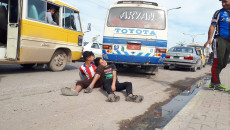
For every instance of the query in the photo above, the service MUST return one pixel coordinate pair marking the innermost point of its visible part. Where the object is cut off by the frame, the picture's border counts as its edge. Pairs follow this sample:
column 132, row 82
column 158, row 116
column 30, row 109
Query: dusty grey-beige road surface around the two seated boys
column 31, row 99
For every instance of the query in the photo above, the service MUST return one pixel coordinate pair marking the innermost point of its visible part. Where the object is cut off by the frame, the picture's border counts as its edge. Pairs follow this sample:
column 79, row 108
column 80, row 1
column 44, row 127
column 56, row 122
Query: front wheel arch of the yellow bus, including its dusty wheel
column 59, row 59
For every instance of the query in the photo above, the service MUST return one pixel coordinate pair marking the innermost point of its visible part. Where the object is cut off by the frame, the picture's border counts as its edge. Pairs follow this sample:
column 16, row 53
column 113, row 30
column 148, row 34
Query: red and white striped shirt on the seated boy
column 88, row 71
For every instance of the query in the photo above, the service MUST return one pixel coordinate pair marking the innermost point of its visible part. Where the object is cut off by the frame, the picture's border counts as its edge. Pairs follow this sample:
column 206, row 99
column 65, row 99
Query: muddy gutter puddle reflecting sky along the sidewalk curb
column 165, row 111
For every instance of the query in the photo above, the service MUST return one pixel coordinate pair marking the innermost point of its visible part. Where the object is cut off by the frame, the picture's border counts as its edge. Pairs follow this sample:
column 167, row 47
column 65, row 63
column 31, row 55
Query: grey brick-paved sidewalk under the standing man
column 208, row 110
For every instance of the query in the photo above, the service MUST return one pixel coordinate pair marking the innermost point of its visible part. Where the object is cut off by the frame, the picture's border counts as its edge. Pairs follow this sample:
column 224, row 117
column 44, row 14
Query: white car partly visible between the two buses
column 95, row 47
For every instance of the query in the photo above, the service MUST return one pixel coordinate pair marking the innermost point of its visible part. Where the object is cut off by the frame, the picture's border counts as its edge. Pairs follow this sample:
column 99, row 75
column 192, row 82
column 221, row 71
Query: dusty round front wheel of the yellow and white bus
column 58, row 61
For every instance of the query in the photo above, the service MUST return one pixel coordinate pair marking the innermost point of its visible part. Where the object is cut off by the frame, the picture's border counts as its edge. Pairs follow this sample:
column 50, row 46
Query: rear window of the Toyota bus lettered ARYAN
column 136, row 17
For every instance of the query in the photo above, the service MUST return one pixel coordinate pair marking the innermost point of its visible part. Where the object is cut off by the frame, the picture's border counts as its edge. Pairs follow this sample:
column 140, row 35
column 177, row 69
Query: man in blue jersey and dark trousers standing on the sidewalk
column 220, row 43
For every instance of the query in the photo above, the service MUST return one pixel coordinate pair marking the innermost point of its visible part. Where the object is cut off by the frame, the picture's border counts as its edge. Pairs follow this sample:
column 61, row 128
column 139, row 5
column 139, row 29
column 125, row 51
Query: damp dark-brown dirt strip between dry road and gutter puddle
column 175, row 89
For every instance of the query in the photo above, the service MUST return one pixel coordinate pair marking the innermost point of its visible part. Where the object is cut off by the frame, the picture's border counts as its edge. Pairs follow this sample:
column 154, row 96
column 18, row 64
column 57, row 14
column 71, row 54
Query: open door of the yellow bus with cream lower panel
column 14, row 11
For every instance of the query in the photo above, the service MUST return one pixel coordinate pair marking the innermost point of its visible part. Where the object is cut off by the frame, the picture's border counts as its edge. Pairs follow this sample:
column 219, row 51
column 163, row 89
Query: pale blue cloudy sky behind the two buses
column 193, row 18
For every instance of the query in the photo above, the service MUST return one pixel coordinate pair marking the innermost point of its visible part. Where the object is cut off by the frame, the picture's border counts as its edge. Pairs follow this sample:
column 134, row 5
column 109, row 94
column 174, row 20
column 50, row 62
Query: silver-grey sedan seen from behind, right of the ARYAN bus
column 183, row 57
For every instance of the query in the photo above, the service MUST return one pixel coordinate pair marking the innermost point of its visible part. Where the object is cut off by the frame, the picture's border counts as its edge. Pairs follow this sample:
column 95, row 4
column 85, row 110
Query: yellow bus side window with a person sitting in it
column 52, row 14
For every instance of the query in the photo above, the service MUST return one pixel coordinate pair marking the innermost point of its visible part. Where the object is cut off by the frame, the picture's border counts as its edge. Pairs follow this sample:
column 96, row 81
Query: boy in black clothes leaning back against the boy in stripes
column 111, row 84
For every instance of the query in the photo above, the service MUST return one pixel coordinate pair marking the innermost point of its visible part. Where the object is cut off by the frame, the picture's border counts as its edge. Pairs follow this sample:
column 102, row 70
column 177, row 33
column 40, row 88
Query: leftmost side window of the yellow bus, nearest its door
column 36, row 9
